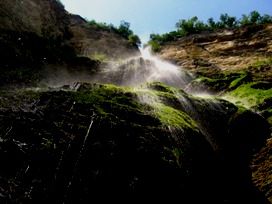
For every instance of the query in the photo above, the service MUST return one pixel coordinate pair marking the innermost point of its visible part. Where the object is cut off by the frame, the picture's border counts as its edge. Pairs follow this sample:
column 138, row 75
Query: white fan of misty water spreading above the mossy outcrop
column 144, row 68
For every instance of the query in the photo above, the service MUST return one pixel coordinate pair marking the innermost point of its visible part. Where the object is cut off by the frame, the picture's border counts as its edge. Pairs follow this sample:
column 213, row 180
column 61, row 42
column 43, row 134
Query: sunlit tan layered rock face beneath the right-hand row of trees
column 226, row 49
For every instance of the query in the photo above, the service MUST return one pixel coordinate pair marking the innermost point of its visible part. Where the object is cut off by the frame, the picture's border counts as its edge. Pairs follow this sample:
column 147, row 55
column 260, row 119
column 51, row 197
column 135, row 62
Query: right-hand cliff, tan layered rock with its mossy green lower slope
column 234, row 64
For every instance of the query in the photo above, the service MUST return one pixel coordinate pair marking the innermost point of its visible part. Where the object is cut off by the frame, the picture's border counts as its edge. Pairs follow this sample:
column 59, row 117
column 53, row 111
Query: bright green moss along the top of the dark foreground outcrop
column 148, row 104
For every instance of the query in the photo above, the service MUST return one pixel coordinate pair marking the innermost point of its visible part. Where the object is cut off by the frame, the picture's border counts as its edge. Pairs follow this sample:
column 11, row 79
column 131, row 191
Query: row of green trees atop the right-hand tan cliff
column 194, row 25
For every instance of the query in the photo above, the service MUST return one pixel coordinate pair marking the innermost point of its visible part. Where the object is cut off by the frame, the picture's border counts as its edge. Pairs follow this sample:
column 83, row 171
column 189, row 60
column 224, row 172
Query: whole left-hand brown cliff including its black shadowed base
column 40, row 34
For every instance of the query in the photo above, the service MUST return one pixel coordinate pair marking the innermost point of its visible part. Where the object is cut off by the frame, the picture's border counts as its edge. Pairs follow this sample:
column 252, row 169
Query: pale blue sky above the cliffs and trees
column 160, row 16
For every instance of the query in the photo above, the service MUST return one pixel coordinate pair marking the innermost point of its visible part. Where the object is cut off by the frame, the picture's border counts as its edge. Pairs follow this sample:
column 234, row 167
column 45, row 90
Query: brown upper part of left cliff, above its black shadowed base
column 50, row 20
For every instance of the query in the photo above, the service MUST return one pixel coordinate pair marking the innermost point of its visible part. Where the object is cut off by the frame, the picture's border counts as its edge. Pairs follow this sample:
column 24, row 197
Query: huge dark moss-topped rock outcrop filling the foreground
column 88, row 142
